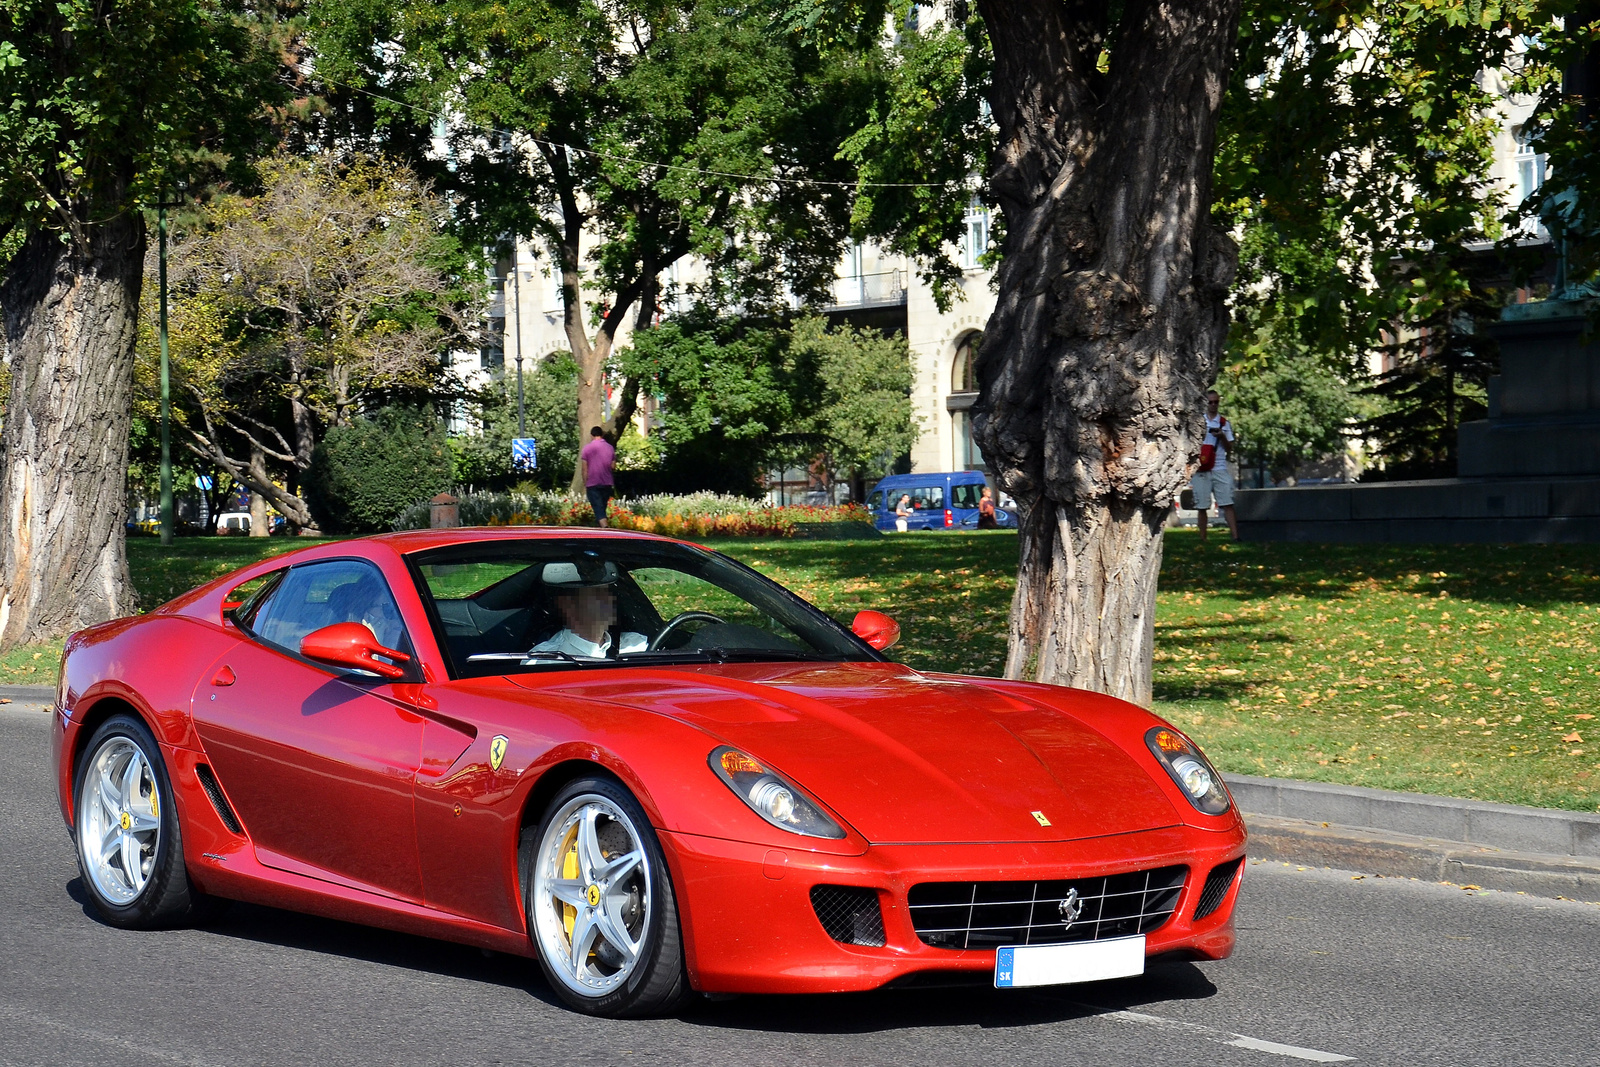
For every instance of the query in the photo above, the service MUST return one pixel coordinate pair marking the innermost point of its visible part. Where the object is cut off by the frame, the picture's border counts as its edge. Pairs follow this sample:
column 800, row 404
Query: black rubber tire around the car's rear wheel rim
column 166, row 897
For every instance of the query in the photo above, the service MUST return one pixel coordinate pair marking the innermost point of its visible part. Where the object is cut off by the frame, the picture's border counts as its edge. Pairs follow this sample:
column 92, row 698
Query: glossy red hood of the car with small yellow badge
column 900, row 756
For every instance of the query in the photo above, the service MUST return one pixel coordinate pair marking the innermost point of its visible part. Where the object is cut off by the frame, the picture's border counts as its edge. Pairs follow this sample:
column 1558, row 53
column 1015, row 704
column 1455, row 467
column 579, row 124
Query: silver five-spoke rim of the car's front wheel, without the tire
column 591, row 895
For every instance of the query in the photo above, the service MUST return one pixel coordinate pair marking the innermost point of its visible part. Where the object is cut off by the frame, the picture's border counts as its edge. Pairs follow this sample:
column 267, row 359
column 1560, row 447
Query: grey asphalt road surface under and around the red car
column 1330, row 965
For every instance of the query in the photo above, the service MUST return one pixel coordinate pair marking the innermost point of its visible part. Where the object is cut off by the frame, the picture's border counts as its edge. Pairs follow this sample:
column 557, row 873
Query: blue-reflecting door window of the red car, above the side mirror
column 321, row 594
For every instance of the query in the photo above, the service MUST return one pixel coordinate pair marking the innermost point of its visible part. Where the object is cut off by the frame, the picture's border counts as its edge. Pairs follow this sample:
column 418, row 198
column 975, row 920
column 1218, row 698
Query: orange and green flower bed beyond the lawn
column 694, row 516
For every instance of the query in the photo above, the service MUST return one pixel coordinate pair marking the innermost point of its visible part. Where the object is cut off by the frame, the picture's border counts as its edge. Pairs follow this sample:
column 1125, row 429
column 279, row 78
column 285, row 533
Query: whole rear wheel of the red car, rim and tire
column 130, row 847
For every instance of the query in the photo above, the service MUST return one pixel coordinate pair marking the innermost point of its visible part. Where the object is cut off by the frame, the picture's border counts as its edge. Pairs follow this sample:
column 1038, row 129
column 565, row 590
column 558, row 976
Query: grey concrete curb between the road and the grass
column 1540, row 852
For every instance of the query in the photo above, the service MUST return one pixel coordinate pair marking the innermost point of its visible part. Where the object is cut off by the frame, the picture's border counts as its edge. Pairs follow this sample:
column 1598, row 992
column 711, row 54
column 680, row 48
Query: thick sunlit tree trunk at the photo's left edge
column 70, row 324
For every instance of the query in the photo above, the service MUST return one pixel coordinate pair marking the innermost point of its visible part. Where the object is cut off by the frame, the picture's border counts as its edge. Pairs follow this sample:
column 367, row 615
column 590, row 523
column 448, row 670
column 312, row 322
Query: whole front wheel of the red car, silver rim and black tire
column 601, row 905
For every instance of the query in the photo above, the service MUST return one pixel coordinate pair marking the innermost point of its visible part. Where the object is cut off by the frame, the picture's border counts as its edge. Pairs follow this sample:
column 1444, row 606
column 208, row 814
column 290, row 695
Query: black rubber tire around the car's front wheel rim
column 657, row 983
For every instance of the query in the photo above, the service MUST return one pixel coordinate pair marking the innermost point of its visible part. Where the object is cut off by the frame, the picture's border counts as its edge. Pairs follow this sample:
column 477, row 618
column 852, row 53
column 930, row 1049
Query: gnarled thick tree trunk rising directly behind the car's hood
column 1111, row 314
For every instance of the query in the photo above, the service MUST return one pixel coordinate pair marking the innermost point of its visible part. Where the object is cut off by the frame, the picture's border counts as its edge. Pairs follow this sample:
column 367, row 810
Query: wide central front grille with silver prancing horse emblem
column 993, row 914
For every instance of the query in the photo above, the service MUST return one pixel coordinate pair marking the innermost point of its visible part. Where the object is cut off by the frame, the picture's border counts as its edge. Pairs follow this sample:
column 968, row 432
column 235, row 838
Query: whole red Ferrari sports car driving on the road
column 634, row 761
